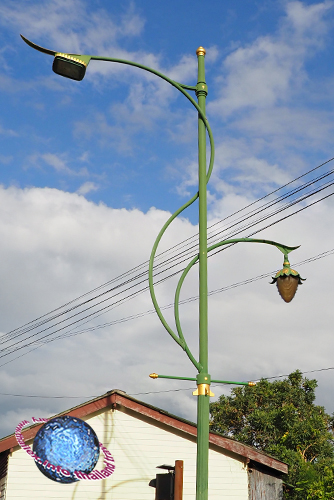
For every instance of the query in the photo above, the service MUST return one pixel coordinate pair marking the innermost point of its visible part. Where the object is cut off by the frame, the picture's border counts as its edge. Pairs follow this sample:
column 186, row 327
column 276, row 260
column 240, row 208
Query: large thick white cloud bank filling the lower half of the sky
column 56, row 246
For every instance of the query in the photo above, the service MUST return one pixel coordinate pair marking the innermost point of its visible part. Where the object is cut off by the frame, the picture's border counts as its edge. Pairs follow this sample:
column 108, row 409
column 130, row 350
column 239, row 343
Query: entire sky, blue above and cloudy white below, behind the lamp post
column 90, row 171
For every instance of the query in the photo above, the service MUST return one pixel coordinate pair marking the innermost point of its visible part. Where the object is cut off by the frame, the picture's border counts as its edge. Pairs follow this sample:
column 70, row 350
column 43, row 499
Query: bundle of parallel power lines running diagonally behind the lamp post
column 171, row 262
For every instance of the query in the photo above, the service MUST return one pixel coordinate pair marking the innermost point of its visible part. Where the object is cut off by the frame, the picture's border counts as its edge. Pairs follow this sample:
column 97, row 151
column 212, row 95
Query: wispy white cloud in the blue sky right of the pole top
column 275, row 123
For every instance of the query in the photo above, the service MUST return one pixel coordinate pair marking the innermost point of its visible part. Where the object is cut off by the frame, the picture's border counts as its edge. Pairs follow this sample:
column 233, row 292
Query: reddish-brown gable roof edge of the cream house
column 117, row 399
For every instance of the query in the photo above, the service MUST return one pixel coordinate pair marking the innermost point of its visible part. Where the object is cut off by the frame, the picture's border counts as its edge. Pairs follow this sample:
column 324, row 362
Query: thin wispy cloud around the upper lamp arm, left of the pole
column 73, row 26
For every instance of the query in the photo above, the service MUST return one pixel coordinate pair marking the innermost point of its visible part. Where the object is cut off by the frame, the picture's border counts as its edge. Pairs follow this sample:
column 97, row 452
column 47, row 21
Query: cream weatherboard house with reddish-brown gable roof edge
column 141, row 437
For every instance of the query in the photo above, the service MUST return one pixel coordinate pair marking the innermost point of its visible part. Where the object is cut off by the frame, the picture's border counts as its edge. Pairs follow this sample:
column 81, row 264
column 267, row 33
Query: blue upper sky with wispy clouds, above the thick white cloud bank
column 124, row 138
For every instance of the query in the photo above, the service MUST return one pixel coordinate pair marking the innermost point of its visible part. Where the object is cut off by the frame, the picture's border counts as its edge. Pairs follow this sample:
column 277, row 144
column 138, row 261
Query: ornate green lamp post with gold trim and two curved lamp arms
column 74, row 66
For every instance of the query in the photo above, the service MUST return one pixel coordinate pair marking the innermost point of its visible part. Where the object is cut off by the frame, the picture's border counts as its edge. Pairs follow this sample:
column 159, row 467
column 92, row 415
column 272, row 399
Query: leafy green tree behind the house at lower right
column 281, row 419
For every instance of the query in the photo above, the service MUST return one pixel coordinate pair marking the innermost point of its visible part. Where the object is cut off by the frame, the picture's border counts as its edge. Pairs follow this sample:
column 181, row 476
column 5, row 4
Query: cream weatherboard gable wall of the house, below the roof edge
column 137, row 446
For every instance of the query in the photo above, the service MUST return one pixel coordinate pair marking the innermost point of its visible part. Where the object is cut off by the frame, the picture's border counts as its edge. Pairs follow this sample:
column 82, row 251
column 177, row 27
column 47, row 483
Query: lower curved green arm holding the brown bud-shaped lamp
column 283, row 248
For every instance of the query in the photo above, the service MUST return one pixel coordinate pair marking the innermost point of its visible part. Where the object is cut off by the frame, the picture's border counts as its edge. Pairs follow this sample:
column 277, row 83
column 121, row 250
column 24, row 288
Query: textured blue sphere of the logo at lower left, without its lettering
column 67, row 442
